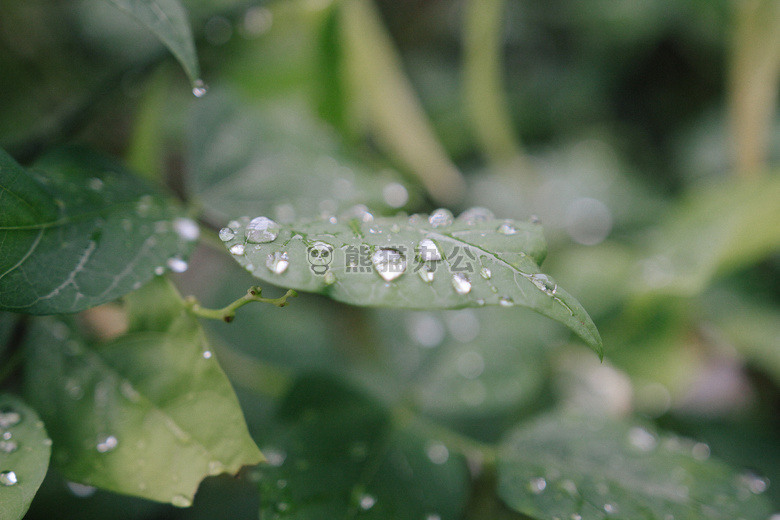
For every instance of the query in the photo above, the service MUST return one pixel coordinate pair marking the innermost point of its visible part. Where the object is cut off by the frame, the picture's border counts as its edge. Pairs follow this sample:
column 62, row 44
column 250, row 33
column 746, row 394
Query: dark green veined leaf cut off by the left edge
column 82, row 233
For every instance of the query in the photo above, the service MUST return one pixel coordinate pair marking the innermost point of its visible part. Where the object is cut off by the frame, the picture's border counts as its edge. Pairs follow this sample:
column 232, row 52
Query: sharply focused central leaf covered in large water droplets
column 391, row 262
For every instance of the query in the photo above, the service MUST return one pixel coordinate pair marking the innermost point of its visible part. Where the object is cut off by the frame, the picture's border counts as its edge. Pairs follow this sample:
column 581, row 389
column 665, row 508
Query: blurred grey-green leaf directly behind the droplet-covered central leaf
column 277, row 160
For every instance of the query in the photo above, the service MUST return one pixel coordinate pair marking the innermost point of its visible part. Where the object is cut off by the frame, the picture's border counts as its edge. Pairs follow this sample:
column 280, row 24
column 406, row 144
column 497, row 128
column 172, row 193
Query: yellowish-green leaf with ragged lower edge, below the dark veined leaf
column 149, row 414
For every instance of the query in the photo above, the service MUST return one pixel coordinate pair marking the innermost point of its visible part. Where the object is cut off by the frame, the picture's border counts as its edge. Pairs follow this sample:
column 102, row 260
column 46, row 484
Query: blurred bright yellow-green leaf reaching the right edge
column 715, row 230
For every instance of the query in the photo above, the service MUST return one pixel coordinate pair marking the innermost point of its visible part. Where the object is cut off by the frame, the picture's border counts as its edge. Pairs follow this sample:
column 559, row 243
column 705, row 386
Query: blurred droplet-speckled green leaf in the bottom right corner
column 563, row 466
